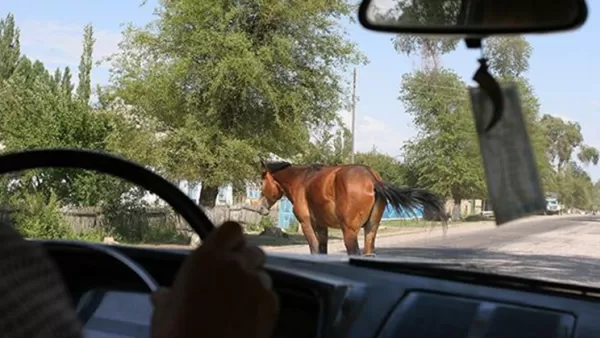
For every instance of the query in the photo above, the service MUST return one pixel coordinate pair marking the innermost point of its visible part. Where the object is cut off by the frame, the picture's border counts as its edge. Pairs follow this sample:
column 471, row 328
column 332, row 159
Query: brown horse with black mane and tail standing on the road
column 346, row 197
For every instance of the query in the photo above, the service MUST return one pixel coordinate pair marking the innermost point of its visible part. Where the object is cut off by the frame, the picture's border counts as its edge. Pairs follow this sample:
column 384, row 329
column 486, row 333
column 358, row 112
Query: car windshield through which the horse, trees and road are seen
column 218, row 96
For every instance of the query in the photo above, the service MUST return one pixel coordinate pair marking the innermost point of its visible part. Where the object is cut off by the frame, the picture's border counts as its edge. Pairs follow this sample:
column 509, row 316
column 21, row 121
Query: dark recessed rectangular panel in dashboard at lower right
column 432, row 315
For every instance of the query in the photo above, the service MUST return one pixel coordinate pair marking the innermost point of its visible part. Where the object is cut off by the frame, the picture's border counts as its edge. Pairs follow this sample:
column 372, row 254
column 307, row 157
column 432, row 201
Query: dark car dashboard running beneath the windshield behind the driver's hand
column 327, row 296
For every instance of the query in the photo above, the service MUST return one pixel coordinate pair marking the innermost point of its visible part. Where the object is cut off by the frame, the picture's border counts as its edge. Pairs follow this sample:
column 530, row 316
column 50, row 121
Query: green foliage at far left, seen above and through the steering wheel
column 39, row 109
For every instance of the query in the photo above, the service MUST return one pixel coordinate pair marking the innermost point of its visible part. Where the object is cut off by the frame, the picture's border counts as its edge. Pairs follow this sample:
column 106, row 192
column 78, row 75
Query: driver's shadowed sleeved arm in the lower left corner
column 34, row 301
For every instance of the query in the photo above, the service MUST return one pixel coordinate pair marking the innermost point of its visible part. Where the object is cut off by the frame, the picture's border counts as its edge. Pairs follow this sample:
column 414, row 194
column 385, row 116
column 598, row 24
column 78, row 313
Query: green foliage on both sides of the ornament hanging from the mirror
column 444, row 156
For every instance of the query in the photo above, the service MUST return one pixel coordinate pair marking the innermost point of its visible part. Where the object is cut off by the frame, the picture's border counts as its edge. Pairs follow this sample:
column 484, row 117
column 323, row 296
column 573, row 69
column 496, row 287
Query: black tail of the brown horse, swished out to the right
column 409, row 199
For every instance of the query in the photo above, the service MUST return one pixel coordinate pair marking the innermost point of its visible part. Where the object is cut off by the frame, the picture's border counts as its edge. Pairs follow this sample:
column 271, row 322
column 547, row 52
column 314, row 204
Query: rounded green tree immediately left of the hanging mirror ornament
column 445, row 153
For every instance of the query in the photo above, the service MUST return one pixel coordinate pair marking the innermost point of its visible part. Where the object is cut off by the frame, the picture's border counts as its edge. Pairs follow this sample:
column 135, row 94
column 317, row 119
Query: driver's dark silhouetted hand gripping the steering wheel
column 220, row 290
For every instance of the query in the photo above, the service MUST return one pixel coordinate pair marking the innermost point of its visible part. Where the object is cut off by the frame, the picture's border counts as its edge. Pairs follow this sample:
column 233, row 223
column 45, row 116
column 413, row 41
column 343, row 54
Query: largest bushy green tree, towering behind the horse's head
column 227, row 81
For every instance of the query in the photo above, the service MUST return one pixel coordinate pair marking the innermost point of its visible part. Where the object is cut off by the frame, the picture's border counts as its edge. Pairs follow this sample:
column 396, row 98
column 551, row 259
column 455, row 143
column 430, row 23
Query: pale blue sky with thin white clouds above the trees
column 564, row 68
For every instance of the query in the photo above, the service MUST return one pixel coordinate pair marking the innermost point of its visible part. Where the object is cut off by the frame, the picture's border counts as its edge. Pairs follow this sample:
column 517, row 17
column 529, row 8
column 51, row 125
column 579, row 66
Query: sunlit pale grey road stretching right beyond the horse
column 562, row 248
